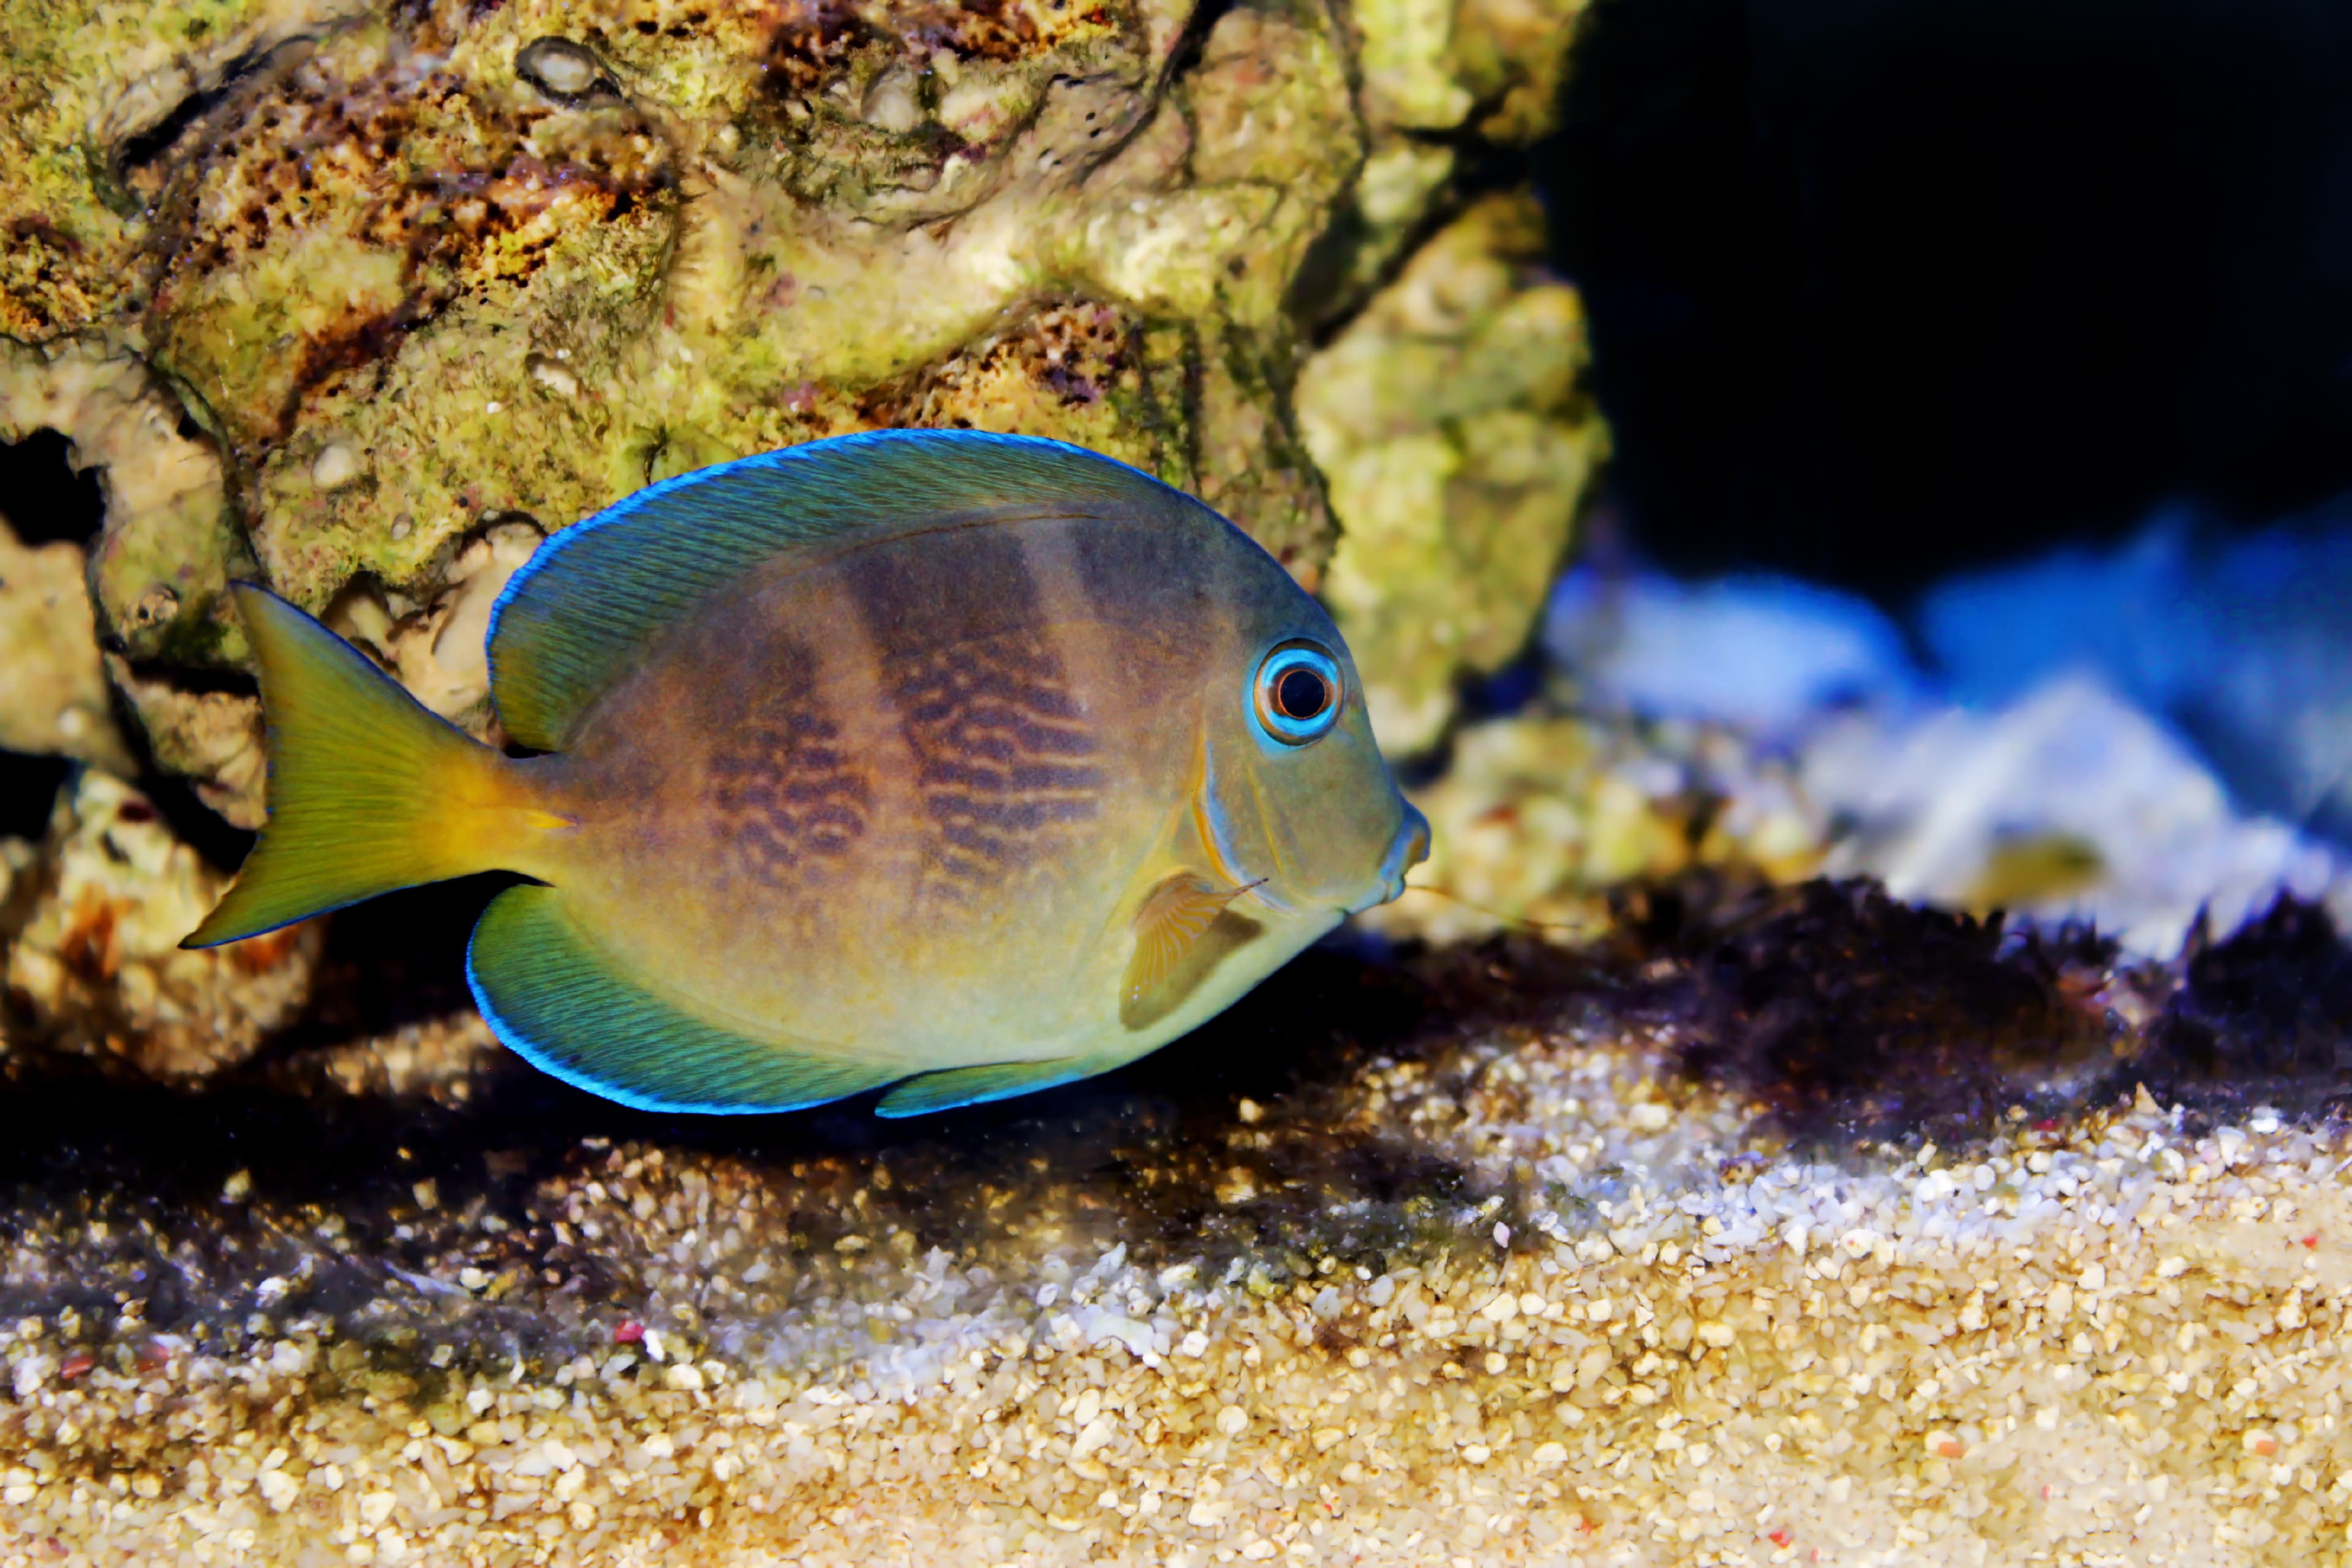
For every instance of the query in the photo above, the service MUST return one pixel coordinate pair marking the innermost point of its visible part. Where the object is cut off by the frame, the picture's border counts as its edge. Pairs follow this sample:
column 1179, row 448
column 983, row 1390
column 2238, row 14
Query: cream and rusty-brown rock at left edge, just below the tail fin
column 95, row 965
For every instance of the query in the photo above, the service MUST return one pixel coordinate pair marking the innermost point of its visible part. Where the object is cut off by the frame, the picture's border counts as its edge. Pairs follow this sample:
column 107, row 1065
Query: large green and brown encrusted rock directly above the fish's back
column 427, row 279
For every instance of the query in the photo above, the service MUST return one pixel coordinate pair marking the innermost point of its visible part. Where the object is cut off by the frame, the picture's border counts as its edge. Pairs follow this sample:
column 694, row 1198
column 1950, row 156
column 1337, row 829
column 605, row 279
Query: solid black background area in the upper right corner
column 1885, row 290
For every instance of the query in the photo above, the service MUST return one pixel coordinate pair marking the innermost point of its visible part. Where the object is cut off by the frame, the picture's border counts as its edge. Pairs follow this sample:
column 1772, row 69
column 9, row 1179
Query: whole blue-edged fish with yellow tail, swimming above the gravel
column 958, row 763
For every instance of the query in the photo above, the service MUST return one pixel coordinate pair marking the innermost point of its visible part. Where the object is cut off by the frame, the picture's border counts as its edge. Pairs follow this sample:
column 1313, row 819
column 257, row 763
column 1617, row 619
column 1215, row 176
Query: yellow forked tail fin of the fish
column 368, row 791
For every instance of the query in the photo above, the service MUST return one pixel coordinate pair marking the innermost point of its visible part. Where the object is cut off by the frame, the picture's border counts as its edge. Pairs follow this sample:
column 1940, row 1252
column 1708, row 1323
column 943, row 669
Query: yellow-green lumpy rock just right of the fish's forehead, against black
column 1457, row 445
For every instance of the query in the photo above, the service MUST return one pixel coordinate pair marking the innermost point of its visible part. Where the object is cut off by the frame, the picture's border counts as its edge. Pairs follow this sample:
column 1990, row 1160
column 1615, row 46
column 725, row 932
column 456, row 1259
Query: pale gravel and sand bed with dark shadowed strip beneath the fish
column 1417, row 1289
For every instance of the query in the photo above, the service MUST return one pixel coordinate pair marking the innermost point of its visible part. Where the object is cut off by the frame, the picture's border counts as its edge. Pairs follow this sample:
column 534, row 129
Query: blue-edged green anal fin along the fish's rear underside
column 566, row 1007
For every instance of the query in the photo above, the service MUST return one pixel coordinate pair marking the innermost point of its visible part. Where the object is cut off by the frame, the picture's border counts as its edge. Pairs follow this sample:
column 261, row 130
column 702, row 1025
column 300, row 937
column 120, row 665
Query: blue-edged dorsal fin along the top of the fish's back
column 599, row 594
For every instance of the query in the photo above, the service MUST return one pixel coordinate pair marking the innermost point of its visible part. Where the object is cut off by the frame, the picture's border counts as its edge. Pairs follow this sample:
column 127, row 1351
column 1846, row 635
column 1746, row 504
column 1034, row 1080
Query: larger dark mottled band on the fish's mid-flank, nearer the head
column 1001, row 744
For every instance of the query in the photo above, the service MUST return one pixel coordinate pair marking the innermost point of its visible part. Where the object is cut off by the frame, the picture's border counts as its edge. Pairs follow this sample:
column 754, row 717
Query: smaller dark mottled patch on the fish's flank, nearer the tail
column 784, row 786
